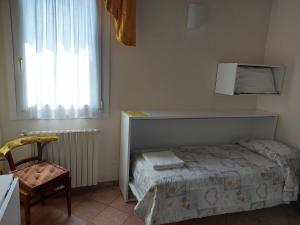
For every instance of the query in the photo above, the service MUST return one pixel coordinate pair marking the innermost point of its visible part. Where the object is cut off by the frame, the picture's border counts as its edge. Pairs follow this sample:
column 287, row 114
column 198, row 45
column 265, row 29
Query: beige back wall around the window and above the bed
column 171, row 67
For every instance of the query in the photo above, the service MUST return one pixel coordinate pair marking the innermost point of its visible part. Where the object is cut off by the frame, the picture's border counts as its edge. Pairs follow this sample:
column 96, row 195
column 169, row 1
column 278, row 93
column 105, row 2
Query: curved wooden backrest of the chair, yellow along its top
column 41, row 142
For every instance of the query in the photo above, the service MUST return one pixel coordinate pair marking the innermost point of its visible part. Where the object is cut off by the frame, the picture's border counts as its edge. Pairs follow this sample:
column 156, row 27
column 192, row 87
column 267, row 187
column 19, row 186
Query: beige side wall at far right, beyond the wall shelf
column 283, row 47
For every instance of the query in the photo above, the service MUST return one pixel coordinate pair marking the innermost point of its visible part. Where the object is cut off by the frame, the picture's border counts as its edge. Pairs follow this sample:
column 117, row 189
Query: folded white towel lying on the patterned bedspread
column 163, row 160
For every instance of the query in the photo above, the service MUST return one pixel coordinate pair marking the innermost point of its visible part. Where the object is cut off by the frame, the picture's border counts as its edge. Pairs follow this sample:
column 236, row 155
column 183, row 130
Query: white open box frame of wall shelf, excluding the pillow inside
column 227, row 77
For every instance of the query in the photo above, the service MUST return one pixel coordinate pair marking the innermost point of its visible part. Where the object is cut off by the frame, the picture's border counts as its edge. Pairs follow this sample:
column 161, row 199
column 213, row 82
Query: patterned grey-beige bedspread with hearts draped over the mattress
column 214, row 180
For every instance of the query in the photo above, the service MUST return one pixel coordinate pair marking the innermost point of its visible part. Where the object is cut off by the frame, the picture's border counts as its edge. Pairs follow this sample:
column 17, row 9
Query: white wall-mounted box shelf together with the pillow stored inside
column 228, row 78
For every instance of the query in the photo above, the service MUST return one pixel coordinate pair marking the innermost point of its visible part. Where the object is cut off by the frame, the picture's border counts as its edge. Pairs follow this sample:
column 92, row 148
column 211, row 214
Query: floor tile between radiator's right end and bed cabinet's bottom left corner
column 106, row 195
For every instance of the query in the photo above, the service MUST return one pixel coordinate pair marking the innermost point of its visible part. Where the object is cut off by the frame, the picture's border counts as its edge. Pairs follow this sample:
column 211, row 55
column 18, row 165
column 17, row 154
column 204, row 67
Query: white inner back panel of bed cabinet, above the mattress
column 149, row 133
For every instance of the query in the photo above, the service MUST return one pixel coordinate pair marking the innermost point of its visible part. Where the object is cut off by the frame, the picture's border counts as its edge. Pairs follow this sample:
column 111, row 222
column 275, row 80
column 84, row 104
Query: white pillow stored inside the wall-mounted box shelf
column 254, row 80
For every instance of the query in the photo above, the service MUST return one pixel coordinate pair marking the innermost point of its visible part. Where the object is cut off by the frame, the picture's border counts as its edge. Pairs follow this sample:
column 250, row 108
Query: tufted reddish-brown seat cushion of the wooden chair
column 36, row 175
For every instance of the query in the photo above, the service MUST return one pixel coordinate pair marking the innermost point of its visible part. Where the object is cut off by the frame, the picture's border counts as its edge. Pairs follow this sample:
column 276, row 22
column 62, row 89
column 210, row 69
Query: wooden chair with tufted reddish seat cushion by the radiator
column 39, row 180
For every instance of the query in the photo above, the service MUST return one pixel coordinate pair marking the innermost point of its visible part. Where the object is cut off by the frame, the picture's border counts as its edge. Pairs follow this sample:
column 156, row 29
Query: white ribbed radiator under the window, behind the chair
column 75, row 150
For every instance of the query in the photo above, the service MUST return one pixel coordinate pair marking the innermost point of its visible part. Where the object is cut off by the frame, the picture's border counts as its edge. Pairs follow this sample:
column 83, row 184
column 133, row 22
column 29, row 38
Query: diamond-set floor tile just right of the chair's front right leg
column 88, row 209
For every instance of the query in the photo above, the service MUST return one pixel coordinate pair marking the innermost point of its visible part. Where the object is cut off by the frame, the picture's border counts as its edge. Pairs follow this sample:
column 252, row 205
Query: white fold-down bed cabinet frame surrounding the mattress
column 148, row 129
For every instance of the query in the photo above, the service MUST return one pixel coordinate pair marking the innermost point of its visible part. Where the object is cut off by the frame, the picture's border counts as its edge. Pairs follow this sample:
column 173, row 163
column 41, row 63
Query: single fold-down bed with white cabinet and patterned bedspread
column 177, row 195
